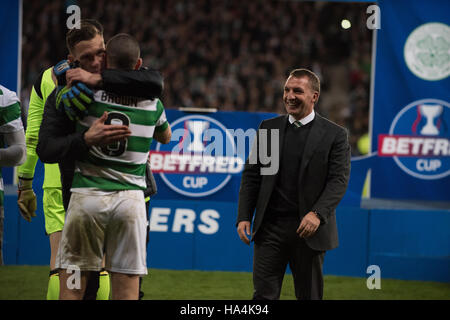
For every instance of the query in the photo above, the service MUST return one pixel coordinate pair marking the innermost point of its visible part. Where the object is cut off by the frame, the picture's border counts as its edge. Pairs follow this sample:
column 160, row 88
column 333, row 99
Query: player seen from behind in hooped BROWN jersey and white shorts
column 106, row 214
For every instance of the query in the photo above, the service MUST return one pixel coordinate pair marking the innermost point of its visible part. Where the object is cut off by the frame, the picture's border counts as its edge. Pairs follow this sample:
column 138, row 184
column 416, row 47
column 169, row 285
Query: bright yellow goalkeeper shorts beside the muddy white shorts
column 53, row 210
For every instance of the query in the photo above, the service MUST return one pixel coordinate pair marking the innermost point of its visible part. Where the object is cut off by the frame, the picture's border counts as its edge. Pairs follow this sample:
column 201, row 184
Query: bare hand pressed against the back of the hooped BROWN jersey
column 101, row 134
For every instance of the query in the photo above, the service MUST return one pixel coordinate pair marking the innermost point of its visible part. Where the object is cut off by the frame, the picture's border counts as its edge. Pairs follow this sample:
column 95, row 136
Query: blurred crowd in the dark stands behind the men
column 226, row 54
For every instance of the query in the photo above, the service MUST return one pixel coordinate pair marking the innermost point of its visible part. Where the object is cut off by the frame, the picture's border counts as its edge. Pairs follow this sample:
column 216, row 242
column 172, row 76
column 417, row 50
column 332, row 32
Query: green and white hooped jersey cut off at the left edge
column 10, row 120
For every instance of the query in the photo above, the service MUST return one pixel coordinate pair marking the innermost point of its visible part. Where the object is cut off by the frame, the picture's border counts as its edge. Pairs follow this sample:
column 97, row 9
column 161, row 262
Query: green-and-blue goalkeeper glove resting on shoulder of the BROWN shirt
column 75, row 100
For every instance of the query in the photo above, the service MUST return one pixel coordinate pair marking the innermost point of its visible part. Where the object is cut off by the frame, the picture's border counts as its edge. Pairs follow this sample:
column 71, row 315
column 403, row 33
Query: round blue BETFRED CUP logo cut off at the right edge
column 419, row 139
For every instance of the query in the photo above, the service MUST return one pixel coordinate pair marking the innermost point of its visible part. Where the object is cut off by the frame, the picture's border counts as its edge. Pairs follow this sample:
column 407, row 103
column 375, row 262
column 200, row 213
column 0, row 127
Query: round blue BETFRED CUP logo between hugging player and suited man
column 200, row 159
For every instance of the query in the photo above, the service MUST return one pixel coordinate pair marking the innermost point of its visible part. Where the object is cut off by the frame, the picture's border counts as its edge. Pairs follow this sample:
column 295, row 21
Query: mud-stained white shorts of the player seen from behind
column 114, row 224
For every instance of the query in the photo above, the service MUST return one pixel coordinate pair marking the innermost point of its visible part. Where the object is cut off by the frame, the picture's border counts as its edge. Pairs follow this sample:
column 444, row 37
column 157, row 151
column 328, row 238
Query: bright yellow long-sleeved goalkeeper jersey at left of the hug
column 39, row 94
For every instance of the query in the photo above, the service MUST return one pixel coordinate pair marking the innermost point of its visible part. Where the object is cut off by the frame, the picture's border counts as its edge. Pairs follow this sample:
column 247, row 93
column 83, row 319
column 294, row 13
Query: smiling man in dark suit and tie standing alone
column 295, row 217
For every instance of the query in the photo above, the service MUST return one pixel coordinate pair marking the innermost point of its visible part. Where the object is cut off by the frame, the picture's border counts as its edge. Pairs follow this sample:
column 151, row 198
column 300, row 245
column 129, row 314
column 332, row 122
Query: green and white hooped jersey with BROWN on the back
column 120, row 166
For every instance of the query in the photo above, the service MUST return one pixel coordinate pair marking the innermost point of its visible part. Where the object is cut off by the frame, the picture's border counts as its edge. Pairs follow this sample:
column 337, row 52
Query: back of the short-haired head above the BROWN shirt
column 122, row 51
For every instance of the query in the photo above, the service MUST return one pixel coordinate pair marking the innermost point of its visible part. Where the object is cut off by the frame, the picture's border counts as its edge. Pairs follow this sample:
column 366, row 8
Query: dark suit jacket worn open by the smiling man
column 322, row 180
